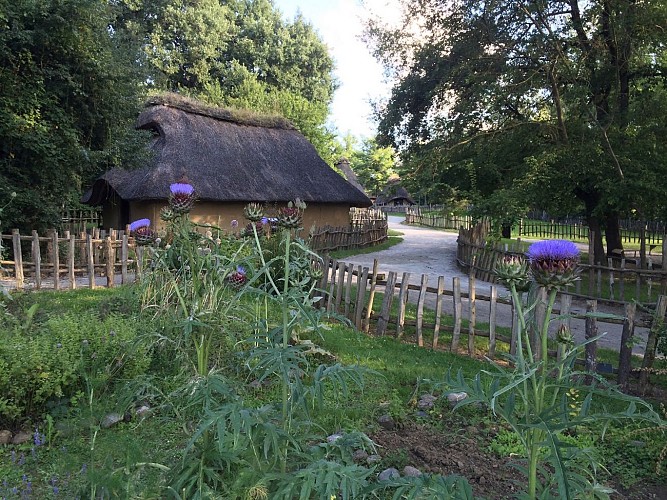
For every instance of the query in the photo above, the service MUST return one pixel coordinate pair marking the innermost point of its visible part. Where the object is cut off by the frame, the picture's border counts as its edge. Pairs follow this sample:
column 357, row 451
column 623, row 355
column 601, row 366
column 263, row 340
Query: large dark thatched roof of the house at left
column 227, row 156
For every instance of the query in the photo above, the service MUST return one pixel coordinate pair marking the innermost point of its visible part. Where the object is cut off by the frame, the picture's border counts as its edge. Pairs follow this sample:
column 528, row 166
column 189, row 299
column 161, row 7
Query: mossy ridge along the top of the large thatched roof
column 240, row 116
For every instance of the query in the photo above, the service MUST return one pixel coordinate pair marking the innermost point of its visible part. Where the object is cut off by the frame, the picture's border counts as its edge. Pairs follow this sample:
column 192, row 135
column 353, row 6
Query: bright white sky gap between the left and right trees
column 360, row 77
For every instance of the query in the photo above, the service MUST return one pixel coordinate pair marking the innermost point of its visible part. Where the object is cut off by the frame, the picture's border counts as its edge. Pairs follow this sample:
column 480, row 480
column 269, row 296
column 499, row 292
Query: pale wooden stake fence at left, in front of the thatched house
column 70, row 260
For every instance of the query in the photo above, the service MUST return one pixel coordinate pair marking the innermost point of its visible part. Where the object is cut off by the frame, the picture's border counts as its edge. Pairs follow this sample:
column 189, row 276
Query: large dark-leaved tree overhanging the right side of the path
column 524, row 95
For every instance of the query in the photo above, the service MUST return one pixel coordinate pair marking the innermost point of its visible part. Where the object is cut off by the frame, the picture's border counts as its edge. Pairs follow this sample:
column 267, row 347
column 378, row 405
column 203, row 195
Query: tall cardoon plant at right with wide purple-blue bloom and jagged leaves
column 534, row 394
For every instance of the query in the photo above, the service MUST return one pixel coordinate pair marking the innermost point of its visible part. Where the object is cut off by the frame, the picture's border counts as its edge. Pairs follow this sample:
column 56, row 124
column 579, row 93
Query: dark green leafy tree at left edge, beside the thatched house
column 68, row 96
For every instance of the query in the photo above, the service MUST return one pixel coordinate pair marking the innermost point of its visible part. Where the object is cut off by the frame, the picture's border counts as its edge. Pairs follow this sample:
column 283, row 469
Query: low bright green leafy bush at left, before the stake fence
column 50, row 361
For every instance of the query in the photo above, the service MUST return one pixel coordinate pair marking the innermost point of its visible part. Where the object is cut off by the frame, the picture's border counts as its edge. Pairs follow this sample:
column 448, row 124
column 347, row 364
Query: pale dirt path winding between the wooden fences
column 433, row 252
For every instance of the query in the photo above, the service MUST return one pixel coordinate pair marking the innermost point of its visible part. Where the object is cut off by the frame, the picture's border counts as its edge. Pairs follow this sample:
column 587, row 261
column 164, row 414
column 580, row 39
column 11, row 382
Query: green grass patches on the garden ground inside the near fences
column 397, row 374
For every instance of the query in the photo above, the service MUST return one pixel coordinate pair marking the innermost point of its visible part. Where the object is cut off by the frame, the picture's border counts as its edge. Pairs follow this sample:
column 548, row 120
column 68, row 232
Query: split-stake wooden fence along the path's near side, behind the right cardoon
column 354, row 292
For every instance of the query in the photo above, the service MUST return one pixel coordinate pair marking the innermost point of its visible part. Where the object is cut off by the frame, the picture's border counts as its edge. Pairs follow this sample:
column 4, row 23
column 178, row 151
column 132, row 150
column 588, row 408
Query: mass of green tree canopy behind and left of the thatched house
column 74, row 74
